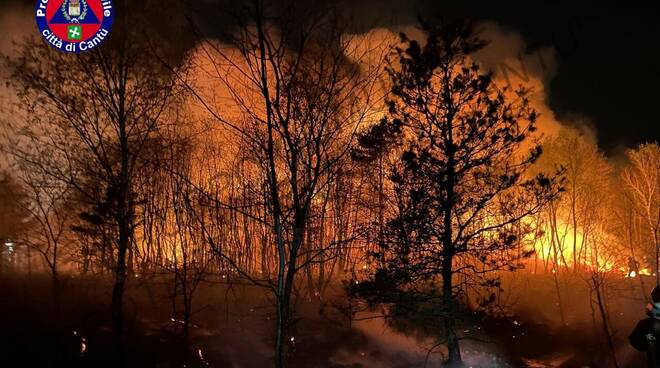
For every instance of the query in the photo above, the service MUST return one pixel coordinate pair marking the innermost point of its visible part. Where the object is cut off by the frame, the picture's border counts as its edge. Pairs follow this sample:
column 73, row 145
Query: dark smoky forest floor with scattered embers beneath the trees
column 232, row 327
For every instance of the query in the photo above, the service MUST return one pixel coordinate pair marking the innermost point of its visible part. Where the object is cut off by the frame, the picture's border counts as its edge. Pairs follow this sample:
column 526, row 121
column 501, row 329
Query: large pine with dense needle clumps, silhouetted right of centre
column 459, row 182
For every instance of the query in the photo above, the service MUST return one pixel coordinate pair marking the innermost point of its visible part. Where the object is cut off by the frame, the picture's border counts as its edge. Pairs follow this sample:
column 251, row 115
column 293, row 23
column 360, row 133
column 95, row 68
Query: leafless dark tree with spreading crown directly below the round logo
column 90, row 117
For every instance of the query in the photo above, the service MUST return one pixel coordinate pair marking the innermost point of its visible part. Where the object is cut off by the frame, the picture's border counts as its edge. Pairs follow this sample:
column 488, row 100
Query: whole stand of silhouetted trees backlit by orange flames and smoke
column 298, row 160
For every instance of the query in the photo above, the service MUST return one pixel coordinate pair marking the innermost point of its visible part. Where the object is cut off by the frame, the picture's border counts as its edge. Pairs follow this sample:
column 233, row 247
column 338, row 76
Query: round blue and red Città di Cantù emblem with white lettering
column 74, row 25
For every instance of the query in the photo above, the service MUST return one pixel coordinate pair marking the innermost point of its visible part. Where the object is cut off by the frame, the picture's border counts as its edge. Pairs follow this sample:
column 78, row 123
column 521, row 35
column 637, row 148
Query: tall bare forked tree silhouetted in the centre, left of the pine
column 297, row 89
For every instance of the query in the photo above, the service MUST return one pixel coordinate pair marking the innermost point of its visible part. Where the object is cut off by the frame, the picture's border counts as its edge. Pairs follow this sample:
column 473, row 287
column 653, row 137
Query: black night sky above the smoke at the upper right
column 607, row 62
